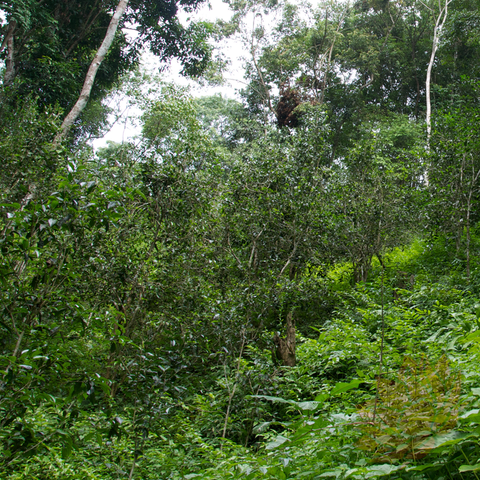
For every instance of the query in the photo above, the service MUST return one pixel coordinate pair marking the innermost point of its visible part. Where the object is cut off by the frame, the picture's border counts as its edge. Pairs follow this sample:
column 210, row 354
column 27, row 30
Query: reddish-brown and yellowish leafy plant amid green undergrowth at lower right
column 420, row 402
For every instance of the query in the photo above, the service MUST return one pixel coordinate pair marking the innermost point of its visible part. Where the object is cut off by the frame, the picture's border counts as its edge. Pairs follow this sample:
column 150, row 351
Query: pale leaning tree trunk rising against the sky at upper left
column 92, row 72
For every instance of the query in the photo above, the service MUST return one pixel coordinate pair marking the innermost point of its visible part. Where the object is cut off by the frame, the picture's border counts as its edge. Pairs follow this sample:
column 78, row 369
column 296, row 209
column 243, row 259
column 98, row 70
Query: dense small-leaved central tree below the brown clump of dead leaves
column 274, row 224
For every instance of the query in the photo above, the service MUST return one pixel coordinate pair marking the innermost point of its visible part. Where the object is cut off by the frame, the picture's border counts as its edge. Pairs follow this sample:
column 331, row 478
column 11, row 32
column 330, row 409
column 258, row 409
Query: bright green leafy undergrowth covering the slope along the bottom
column 337, row 414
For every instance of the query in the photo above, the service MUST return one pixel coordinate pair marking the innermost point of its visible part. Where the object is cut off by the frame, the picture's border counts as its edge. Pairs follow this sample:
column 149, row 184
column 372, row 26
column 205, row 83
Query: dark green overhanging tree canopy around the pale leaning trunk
column 51, row 45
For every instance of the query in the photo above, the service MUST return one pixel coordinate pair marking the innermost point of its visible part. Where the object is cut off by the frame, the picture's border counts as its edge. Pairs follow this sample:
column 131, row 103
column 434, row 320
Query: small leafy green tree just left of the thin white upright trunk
column 374, row 193
